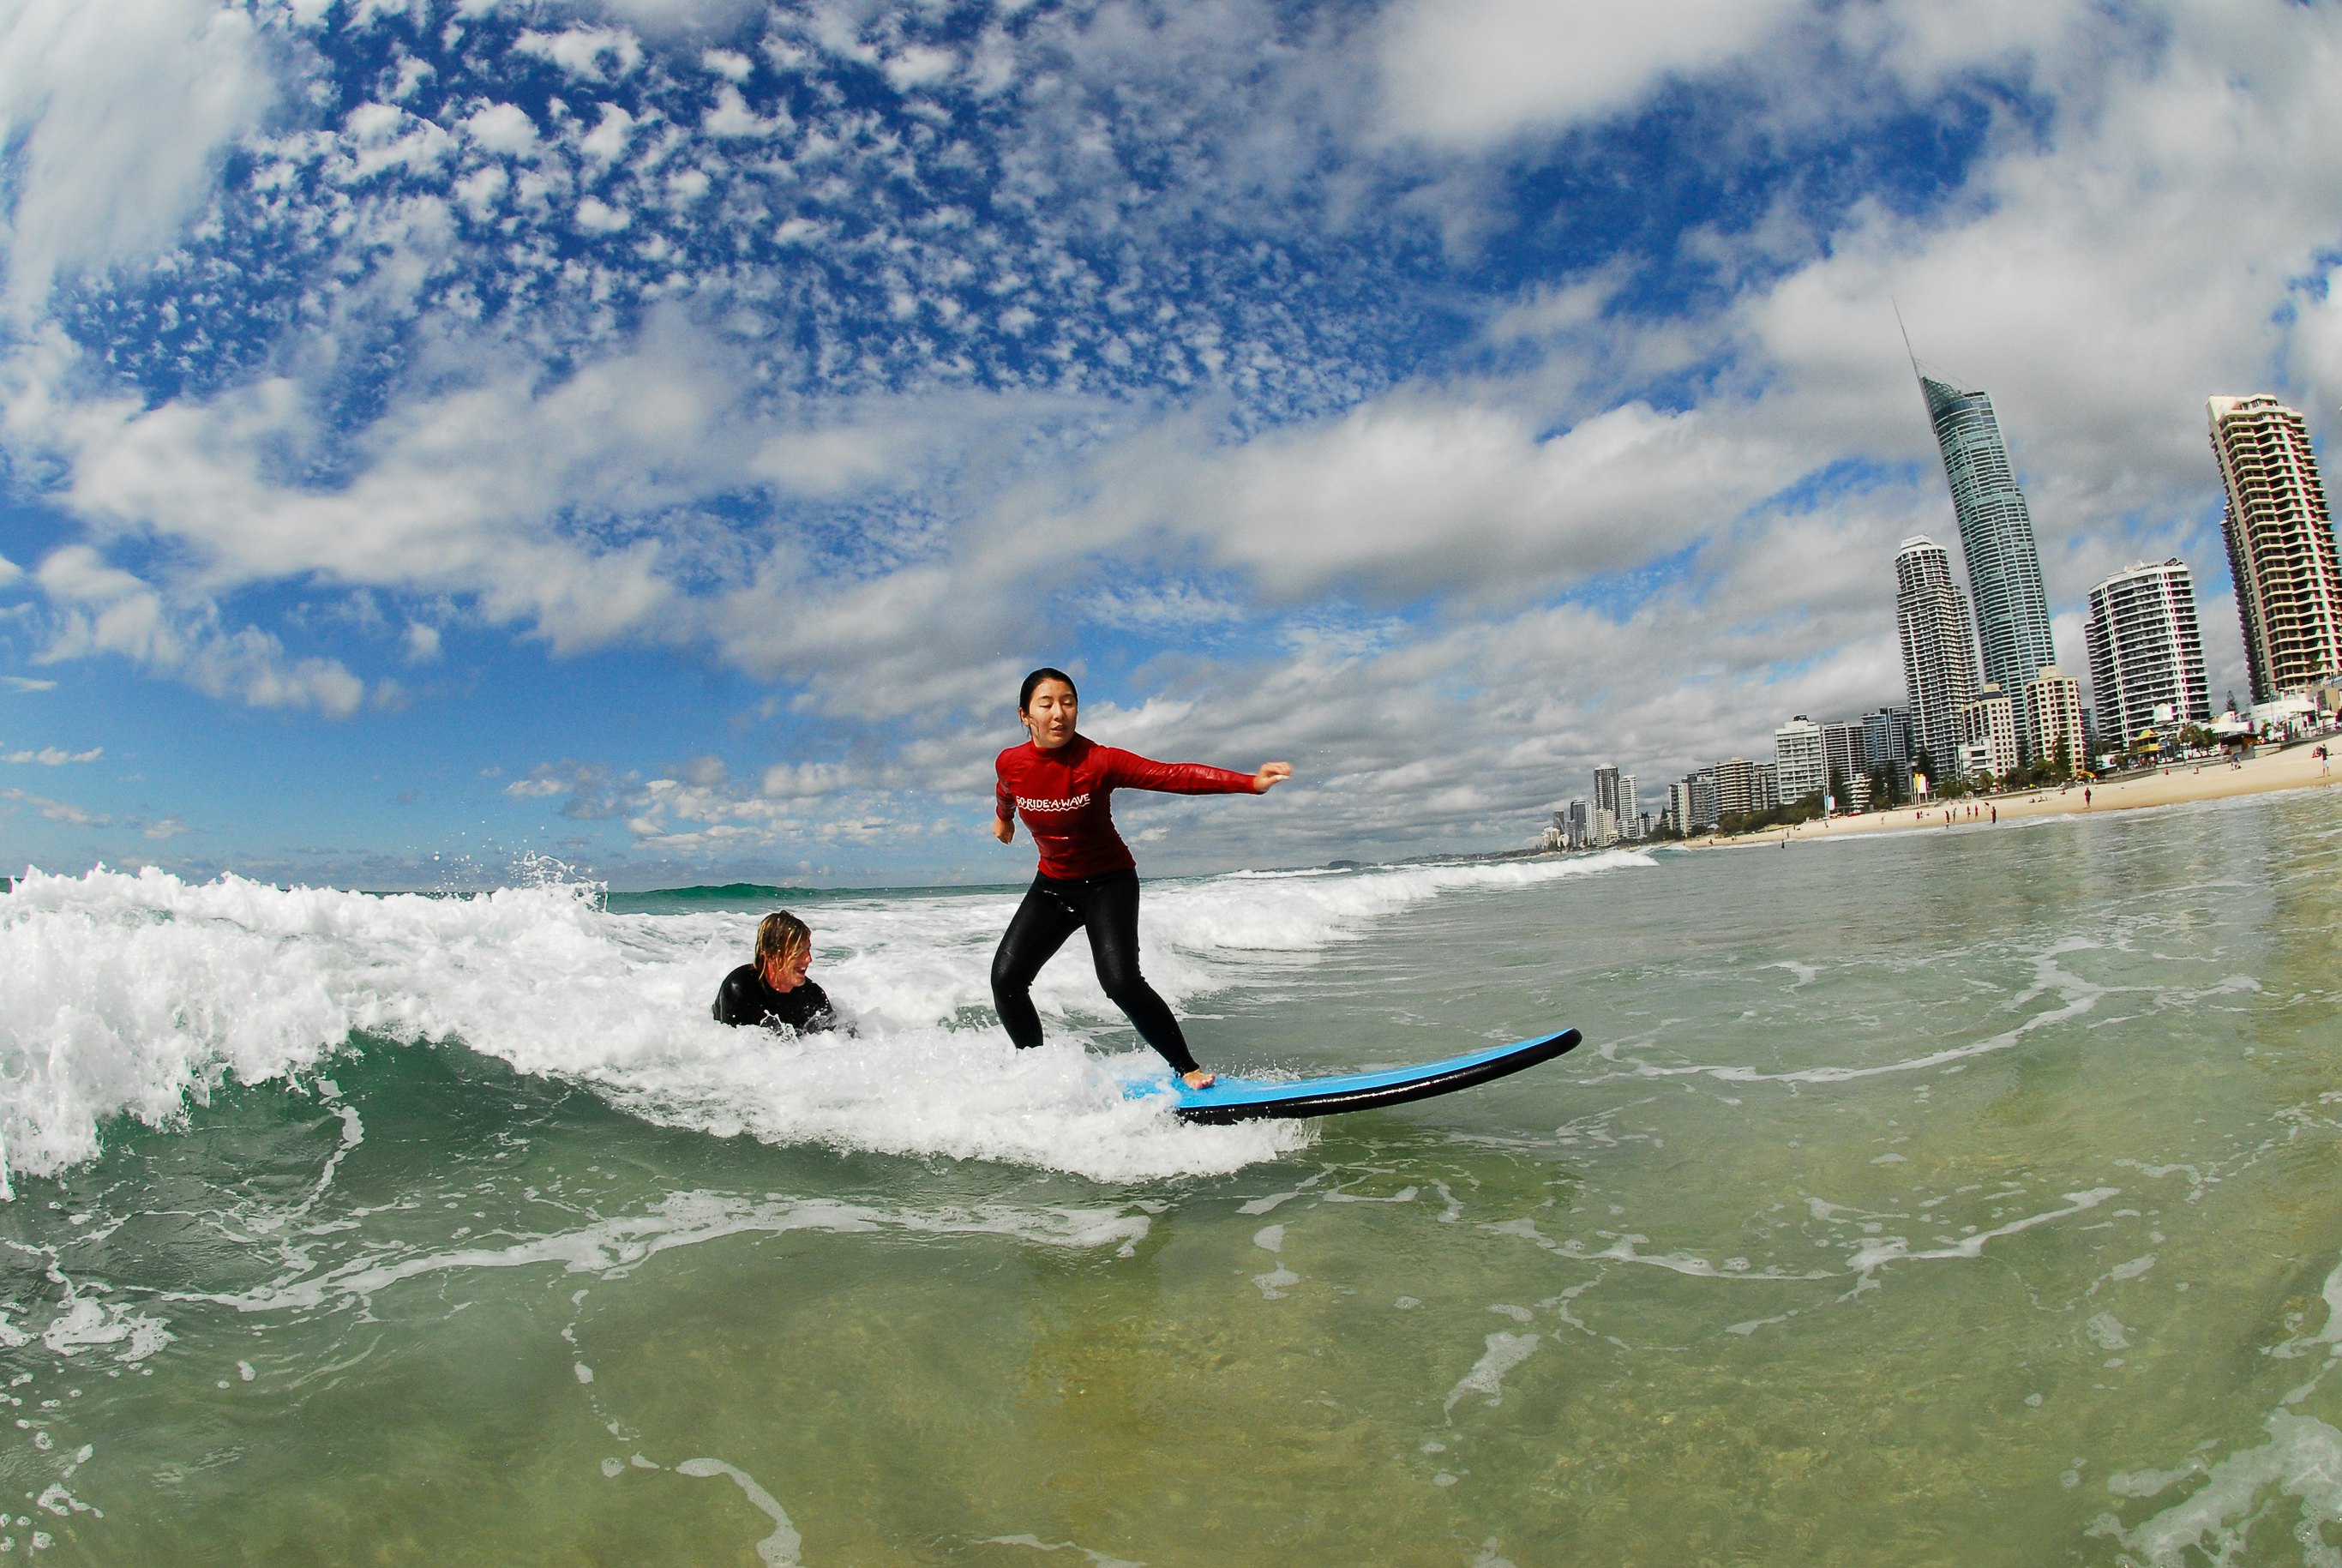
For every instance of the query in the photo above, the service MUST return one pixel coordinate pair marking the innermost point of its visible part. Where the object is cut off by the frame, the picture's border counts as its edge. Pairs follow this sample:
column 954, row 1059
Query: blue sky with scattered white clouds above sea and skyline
column 659, row 435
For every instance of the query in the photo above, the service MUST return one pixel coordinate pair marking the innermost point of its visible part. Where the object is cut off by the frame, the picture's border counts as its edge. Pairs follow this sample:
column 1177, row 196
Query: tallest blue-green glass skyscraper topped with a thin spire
column 1997, row 536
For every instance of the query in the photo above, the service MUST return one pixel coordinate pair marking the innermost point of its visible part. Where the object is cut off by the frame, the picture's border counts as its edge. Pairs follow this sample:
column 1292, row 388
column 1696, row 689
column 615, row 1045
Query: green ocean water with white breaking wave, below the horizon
column 1936, row 1199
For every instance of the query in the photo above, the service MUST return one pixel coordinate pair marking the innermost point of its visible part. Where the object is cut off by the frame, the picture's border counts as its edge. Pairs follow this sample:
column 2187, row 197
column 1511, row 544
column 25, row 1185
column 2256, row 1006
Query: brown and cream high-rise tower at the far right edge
column 2280, row 545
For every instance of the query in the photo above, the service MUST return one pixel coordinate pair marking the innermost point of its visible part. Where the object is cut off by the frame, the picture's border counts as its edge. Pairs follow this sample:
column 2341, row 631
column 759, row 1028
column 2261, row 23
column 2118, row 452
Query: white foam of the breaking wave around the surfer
column 137, row 995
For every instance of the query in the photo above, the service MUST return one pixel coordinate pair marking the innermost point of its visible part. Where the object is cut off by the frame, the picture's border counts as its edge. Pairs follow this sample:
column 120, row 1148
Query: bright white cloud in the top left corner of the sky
column 125, row 114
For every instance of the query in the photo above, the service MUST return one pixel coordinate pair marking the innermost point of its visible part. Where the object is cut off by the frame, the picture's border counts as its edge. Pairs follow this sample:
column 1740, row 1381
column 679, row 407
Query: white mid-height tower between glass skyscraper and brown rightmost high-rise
column 2146, row 653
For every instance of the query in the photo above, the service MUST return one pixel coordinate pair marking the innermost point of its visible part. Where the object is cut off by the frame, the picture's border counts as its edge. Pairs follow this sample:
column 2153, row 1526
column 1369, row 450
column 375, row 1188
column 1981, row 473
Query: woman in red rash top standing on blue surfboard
column 1060, row 784
